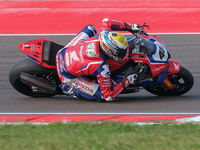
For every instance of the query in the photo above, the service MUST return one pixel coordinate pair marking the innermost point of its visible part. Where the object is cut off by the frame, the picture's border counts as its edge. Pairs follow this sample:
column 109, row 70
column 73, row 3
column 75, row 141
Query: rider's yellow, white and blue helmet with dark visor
column 113, row 45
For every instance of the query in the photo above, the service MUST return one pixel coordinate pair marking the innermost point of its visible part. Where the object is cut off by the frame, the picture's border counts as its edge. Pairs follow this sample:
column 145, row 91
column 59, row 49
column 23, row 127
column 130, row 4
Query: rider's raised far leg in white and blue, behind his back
column 87, row 32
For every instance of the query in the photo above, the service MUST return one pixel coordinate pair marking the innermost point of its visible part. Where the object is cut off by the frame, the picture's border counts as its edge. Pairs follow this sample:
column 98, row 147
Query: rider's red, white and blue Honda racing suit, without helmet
column 83, row 56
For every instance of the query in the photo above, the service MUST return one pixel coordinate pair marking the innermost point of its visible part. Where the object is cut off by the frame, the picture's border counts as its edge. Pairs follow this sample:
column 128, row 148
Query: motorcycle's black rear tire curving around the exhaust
column 29, row 67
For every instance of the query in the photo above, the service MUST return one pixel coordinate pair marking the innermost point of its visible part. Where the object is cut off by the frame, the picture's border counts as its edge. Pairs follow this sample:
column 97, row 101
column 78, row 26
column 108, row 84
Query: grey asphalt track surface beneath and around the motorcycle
column 184, row 48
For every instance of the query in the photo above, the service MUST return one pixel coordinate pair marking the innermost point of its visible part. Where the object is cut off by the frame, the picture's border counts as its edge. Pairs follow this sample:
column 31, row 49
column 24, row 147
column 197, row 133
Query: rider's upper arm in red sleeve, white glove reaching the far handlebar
column 114, row 25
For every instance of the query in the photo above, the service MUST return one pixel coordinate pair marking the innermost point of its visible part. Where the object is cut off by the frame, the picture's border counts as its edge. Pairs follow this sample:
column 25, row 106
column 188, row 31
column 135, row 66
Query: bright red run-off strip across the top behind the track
column 63, row 17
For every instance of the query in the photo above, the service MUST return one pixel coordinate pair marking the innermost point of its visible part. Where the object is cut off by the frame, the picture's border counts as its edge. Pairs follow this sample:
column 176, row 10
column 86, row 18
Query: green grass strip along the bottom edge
column 102, row 136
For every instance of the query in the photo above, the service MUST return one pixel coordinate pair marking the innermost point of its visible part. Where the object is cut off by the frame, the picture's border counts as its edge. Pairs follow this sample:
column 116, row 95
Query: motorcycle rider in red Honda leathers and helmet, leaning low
column 87, row 54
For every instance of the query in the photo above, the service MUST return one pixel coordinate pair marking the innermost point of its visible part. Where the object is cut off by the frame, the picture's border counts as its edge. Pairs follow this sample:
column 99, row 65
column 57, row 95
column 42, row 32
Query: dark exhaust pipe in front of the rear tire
column 34, row 81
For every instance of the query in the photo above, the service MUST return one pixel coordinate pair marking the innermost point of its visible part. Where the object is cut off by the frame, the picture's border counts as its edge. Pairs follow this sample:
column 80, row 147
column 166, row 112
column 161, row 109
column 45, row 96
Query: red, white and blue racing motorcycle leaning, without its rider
column 37, row 75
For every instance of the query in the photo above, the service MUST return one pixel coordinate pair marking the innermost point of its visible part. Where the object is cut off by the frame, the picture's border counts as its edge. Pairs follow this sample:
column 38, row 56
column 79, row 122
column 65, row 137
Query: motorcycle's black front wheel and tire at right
column 182, row 82
